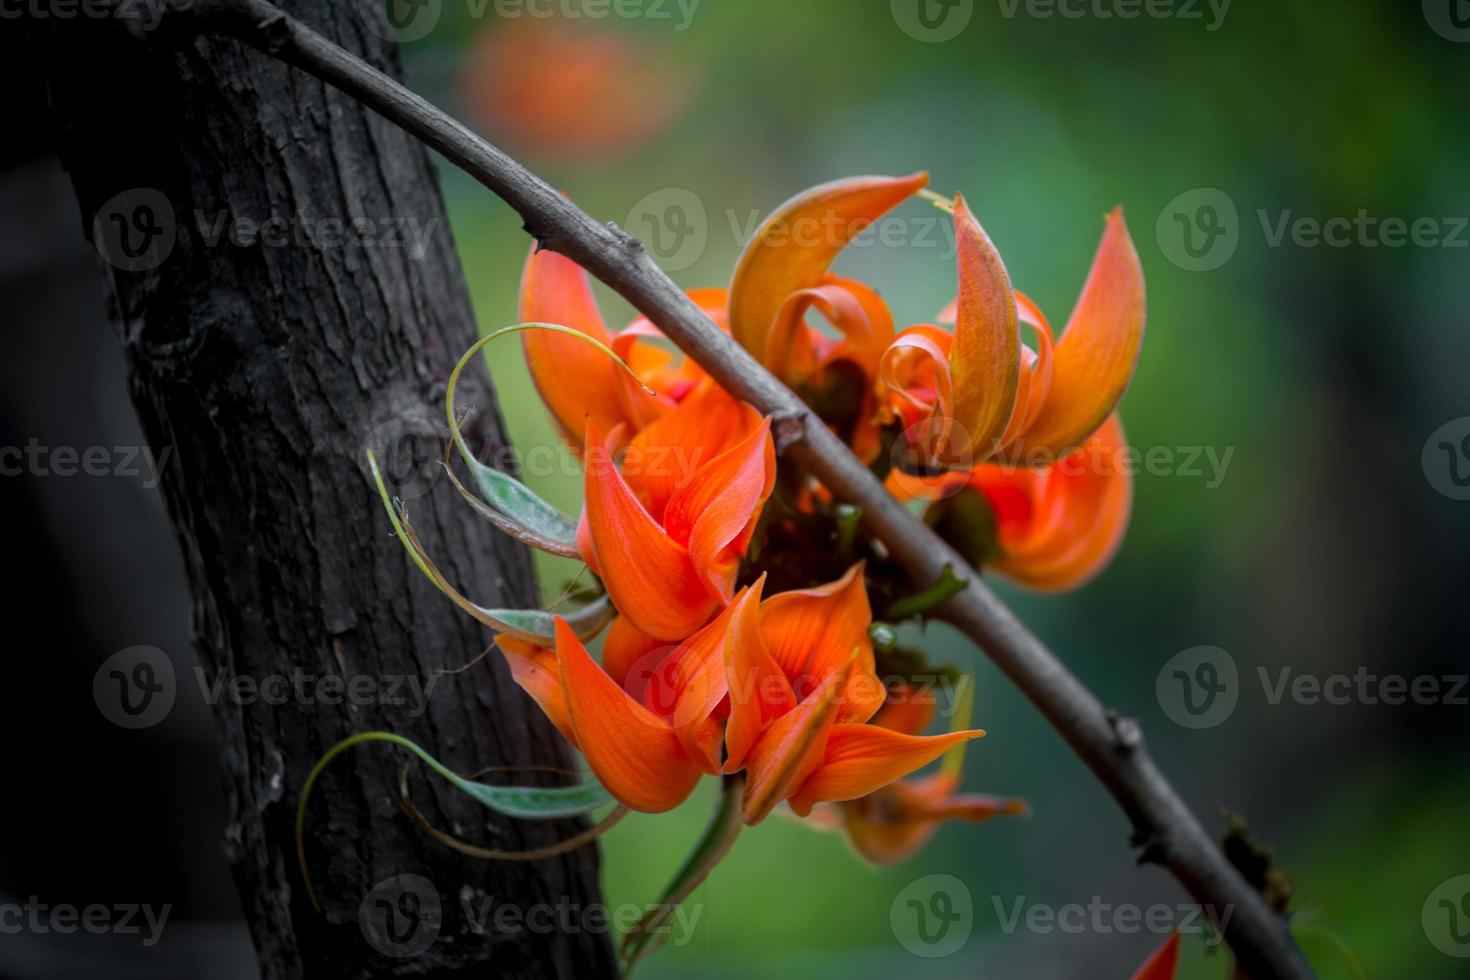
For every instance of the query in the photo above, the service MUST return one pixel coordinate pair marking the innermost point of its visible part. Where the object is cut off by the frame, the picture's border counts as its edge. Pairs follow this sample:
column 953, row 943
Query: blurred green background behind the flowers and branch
column 1325, row 370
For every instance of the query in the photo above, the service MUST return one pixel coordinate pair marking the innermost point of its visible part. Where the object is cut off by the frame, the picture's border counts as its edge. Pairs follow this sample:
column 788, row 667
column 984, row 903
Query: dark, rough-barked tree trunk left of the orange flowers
column 265, row 364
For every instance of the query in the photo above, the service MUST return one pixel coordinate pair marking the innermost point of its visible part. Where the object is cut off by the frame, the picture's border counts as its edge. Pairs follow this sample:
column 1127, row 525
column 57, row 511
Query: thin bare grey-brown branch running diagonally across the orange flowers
column 1111, row 746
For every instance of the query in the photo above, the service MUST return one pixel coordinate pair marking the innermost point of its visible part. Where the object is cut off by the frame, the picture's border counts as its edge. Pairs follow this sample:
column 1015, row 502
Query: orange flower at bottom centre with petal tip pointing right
column 802, row 688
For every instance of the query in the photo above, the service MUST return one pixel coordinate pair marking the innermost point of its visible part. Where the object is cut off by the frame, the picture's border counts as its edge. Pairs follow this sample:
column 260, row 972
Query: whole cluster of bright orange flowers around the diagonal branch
column 745, row 633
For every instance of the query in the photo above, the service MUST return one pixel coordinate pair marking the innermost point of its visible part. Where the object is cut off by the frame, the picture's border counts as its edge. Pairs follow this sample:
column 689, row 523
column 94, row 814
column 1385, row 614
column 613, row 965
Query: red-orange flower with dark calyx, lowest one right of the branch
column 1055, row 528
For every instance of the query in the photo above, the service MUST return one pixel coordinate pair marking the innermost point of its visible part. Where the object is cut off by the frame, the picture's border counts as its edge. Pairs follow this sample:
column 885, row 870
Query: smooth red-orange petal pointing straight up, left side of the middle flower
column 648, row 574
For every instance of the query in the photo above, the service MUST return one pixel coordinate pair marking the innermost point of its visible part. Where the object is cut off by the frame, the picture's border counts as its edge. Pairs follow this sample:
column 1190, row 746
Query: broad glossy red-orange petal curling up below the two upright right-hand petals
column 1061, row 527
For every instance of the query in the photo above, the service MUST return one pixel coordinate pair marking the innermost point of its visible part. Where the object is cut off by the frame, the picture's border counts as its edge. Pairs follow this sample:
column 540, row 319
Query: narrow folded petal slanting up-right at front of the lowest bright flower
column 790, row 750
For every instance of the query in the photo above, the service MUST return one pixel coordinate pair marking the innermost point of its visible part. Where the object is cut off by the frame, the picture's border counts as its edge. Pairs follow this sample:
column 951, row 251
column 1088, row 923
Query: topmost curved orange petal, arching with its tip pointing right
column 795, row 248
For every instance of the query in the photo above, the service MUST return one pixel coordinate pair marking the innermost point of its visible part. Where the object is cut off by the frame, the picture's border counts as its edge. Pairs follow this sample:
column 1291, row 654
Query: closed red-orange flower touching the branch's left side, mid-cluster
column 668, row 555
